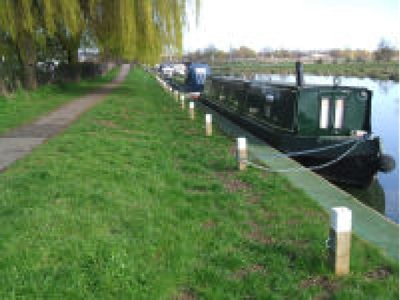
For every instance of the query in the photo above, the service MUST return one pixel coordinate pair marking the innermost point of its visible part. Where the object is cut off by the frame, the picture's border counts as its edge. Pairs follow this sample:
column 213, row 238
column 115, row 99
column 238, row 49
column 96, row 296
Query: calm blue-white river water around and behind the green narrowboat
column 383, row 194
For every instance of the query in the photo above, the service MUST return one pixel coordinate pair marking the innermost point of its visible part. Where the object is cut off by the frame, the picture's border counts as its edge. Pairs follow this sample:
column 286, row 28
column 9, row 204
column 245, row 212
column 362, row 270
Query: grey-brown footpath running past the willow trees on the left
column 21, row 141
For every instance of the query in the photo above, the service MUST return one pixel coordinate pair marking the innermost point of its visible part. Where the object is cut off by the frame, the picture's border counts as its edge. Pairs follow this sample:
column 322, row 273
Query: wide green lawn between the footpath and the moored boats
column 134, row 202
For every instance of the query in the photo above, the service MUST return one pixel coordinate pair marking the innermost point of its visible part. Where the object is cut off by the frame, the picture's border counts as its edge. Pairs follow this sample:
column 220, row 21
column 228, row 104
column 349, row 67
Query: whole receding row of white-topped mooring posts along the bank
column 339, row 240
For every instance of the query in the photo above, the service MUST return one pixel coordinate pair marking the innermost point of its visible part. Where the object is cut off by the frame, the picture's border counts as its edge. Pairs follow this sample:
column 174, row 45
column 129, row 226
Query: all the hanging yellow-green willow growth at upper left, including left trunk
column 129, row 29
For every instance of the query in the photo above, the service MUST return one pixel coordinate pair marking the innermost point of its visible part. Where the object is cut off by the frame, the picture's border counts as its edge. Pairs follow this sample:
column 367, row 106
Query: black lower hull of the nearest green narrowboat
column 357, row 168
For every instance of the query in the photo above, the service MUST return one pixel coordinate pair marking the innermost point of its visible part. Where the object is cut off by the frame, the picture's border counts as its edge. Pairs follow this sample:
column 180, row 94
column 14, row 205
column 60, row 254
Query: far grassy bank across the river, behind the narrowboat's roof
column 375, row 70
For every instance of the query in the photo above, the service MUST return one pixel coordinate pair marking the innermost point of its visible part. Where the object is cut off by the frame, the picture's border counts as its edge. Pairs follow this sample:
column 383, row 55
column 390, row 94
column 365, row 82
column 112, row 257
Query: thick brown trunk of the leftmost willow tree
column 27, row 53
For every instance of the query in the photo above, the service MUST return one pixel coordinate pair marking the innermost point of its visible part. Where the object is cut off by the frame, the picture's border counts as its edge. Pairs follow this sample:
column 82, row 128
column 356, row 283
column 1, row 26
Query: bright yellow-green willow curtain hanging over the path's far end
column 137, row 29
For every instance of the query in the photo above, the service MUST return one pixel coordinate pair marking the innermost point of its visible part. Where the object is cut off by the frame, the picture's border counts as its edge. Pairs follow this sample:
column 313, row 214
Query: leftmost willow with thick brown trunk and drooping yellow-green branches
column 29, row 22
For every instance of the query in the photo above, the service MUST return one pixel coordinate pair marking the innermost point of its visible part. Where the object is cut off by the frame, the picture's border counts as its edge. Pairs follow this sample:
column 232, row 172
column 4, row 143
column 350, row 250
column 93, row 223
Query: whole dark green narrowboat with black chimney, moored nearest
column 327, row 128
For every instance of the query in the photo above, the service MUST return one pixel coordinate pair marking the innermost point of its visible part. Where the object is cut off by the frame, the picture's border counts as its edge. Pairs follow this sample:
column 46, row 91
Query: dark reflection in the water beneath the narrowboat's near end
column 373, row 195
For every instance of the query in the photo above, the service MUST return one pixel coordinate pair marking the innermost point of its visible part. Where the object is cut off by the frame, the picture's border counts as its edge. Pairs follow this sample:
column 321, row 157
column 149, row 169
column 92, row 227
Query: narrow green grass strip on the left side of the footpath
column 22, row 107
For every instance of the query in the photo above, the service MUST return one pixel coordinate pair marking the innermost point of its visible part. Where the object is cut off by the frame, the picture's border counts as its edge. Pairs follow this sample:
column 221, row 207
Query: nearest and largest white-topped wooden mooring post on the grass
column 340, row 240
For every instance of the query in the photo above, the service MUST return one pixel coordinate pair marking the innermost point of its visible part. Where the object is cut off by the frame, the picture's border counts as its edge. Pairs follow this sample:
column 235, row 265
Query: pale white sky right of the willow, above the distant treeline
column 291, row 24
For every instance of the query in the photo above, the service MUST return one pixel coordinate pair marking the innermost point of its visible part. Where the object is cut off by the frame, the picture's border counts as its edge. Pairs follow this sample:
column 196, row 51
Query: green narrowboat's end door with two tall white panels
column 332, row 112
